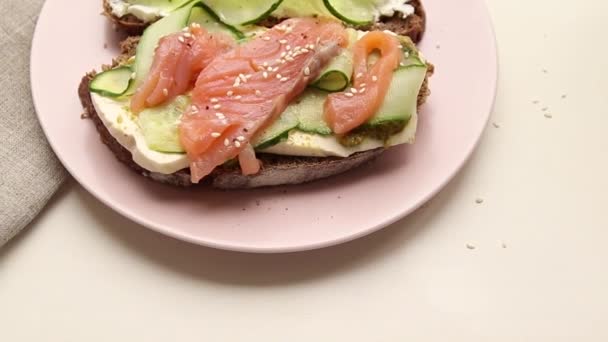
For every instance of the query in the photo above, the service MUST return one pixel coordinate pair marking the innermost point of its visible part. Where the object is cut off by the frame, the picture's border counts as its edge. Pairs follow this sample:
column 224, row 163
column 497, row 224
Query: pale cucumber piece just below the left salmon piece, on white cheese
column 160, row 125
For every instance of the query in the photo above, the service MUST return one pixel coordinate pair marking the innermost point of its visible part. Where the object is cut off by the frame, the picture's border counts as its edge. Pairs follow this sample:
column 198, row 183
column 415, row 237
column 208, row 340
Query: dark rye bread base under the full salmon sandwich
column 276, row 170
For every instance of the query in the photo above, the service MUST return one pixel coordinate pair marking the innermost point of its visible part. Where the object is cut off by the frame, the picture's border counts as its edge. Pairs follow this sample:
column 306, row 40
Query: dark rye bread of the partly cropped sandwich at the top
column 413, row 26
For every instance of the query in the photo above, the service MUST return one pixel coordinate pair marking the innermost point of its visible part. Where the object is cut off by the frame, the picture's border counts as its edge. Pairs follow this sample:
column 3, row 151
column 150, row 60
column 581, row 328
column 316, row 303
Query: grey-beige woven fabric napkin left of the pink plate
column 29, row 171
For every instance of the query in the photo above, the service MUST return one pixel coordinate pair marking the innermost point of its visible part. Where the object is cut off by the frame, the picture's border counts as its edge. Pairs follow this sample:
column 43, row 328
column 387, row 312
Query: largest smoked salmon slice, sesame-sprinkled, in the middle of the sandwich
column 247, row 88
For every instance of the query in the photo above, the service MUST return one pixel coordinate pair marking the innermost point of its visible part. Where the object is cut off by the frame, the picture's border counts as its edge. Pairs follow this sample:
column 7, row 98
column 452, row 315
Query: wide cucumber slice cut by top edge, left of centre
column 241, row 13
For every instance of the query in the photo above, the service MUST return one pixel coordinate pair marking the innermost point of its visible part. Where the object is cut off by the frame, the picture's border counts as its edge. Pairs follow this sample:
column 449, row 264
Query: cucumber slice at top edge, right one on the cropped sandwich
column 354, row 12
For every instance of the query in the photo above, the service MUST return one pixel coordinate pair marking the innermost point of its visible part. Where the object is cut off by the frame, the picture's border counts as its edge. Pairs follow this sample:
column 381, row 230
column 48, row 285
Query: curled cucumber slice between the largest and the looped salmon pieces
column 336, row 76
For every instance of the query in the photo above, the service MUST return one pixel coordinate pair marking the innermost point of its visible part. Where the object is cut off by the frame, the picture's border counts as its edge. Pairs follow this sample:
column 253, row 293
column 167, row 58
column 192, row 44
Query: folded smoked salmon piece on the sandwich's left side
column 178, row 60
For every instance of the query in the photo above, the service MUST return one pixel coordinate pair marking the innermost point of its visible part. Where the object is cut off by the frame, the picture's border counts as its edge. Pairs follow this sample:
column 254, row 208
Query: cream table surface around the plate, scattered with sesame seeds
column 83, row 273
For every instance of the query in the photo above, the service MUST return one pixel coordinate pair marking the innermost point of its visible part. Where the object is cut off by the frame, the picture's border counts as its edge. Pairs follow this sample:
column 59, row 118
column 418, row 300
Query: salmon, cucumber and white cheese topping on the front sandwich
column 201, row 92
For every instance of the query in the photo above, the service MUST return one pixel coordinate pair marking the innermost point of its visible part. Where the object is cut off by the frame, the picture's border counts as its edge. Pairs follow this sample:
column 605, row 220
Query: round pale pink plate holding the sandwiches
column 280, row 219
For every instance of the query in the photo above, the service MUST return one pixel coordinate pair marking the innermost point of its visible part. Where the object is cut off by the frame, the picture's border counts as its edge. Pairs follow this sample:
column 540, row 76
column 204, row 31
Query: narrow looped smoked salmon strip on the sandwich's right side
column 350, row 109
